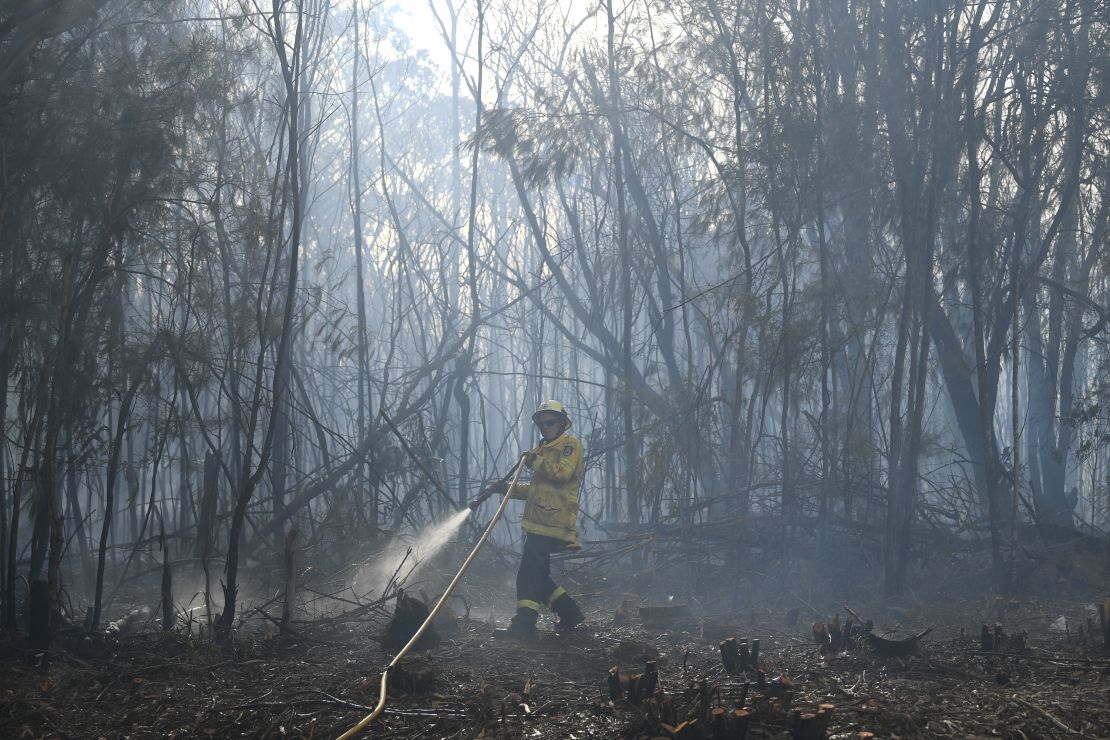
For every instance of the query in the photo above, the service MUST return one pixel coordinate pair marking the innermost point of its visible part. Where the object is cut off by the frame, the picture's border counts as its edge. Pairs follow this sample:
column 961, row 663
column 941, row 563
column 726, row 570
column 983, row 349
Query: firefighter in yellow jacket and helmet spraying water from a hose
column 551, row 515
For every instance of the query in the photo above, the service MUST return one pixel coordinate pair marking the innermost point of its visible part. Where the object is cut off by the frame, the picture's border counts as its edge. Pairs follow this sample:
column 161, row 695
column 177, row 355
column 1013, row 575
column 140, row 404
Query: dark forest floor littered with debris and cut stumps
column 1045, row 681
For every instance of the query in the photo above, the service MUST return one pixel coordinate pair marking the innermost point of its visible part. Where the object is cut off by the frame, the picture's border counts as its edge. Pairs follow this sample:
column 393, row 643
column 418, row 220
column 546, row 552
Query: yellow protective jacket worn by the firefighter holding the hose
column 552, row 498
